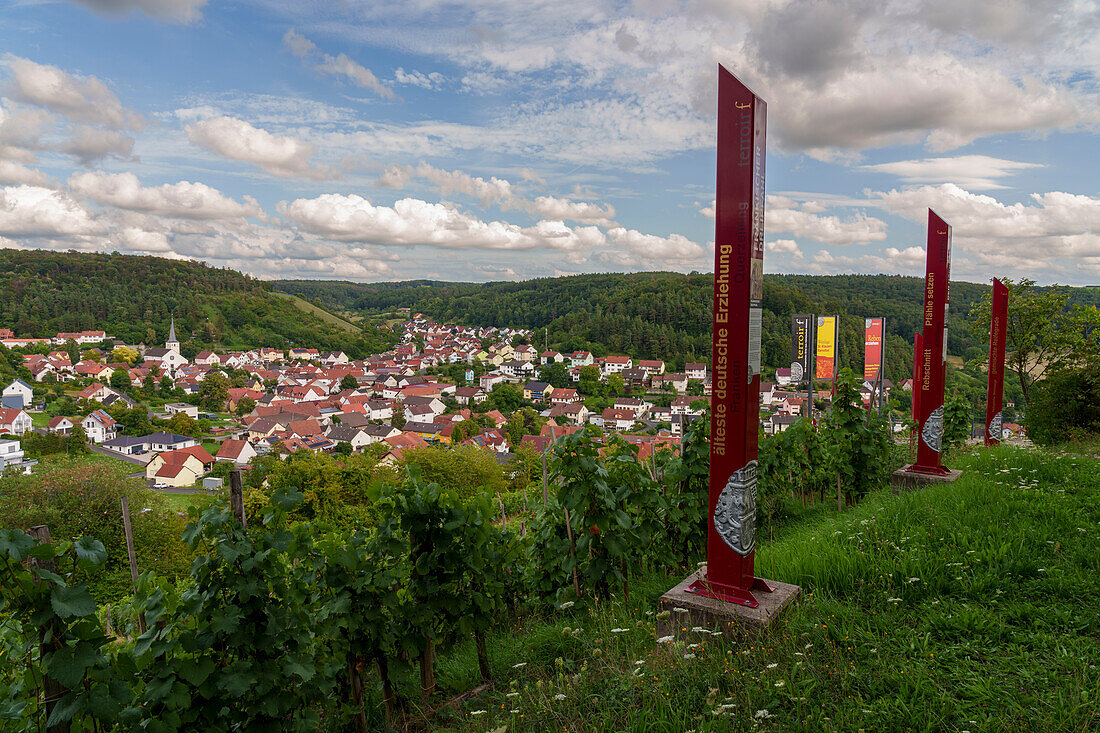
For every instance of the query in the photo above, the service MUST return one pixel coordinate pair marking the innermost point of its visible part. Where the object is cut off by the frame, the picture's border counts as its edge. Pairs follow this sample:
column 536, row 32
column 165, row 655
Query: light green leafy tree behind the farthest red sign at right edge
column 1046, row 334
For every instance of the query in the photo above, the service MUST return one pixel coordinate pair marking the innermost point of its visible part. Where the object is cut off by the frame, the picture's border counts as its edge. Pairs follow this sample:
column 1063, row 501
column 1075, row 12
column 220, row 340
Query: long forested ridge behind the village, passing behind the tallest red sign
column 668, row 315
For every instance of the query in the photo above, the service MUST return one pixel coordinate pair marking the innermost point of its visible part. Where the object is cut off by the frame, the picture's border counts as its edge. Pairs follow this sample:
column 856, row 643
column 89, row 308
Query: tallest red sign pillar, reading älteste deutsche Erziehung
column 739, row 290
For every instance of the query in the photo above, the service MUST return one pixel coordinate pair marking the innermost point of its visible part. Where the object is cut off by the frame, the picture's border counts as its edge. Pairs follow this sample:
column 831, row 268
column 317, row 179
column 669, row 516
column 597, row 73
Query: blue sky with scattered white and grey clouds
column 488, row 140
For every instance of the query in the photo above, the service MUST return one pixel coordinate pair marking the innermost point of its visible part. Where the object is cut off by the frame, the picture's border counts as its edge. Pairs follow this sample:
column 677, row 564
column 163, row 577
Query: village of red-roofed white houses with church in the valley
column 442, row 386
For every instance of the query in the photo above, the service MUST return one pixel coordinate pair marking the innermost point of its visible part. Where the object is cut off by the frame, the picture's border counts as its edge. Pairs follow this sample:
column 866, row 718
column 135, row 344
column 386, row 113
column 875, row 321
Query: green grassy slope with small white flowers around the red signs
column 974, row 606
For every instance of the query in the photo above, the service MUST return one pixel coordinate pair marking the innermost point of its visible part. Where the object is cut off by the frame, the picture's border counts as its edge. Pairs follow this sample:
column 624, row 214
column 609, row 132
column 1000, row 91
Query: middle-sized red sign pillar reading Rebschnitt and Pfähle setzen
column 930, row 417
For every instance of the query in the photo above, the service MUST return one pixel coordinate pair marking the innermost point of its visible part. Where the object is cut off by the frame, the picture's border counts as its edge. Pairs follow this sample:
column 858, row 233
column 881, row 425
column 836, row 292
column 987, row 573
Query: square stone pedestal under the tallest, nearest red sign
column 689, row 611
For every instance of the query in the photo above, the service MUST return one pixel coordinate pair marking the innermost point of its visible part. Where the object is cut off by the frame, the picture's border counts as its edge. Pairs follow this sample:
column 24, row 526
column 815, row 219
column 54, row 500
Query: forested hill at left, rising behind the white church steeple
column 135, row 298
